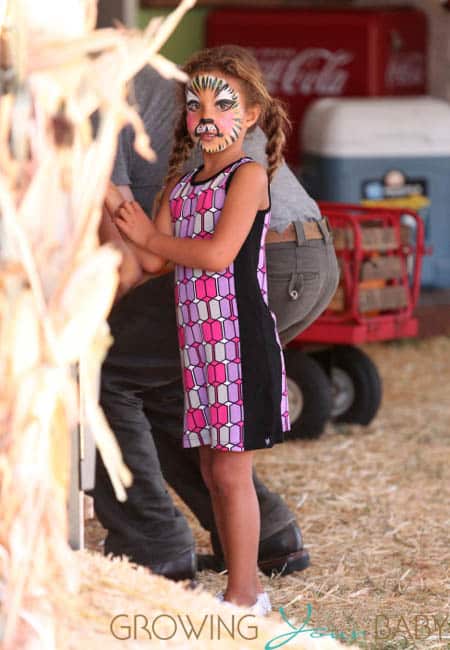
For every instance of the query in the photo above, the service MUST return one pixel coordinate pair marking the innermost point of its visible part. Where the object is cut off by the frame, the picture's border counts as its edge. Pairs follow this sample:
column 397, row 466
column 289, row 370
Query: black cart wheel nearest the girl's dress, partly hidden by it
column 310, row 398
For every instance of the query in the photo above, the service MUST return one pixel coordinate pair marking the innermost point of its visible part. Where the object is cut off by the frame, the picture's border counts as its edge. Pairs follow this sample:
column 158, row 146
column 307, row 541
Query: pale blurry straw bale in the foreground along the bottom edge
column 120, row 604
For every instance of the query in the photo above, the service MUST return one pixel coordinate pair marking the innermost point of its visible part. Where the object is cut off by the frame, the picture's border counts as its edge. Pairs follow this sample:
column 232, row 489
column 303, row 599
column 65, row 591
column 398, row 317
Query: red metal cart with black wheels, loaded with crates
column 380, row 253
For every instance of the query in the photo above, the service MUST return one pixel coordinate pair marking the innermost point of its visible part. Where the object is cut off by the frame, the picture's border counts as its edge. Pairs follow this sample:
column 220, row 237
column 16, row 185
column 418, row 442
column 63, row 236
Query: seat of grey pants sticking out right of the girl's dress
column 302, row 278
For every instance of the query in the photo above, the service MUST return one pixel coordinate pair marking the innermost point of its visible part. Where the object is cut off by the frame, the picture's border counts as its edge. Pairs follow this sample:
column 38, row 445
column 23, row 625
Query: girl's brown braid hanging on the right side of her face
column 276, row 125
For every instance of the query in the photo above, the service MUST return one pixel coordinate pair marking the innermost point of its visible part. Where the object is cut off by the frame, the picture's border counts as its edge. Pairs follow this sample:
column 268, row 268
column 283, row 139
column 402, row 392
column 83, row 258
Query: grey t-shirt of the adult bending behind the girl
column 156, row 102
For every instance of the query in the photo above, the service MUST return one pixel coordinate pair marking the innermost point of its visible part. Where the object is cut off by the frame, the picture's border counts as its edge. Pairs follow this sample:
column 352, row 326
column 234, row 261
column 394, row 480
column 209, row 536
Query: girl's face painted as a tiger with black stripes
column 213, row 113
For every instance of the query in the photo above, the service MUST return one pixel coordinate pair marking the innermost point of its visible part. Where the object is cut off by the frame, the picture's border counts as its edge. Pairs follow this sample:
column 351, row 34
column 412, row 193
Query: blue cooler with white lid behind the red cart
column 393, row 152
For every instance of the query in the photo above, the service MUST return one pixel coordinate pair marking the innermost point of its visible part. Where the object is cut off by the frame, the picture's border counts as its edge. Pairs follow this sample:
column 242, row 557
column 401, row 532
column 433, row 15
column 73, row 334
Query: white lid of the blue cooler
column 407, row 126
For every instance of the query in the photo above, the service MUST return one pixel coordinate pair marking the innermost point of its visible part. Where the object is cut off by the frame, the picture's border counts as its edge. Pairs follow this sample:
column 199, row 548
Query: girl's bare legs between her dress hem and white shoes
column 238, row 520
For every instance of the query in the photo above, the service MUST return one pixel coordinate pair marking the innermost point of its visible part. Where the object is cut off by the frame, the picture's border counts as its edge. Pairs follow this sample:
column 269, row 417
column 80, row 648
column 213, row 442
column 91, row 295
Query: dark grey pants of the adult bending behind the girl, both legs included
column 142, row 396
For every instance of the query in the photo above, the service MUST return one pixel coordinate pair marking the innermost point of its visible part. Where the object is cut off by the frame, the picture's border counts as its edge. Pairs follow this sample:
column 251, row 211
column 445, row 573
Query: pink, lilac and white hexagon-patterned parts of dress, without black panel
column 208, row 323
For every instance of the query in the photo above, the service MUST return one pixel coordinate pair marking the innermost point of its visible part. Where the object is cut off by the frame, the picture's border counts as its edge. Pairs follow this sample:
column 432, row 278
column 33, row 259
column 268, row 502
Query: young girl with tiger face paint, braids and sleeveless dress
column 212, row 224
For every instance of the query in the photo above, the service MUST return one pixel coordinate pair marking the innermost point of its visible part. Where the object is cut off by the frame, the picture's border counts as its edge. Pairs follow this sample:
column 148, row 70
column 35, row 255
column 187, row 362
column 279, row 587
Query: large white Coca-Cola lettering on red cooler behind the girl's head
column 312, row 71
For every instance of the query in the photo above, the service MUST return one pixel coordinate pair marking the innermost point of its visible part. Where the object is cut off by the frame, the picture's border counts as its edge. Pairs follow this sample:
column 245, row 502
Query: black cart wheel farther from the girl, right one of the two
column 356, row 386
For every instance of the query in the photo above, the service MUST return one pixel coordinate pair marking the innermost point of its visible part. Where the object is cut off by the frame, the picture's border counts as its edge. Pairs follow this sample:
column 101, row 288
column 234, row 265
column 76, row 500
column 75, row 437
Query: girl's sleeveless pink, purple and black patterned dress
column 233, row 366
